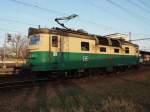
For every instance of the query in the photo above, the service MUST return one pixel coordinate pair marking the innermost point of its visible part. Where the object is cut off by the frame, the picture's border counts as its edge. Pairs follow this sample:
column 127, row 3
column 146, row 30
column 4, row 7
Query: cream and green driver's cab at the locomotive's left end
column 44, row 48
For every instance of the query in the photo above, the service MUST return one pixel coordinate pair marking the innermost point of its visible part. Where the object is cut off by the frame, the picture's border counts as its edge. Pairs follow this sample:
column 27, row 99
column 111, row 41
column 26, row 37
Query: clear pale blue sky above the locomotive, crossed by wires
column 100, row 17
